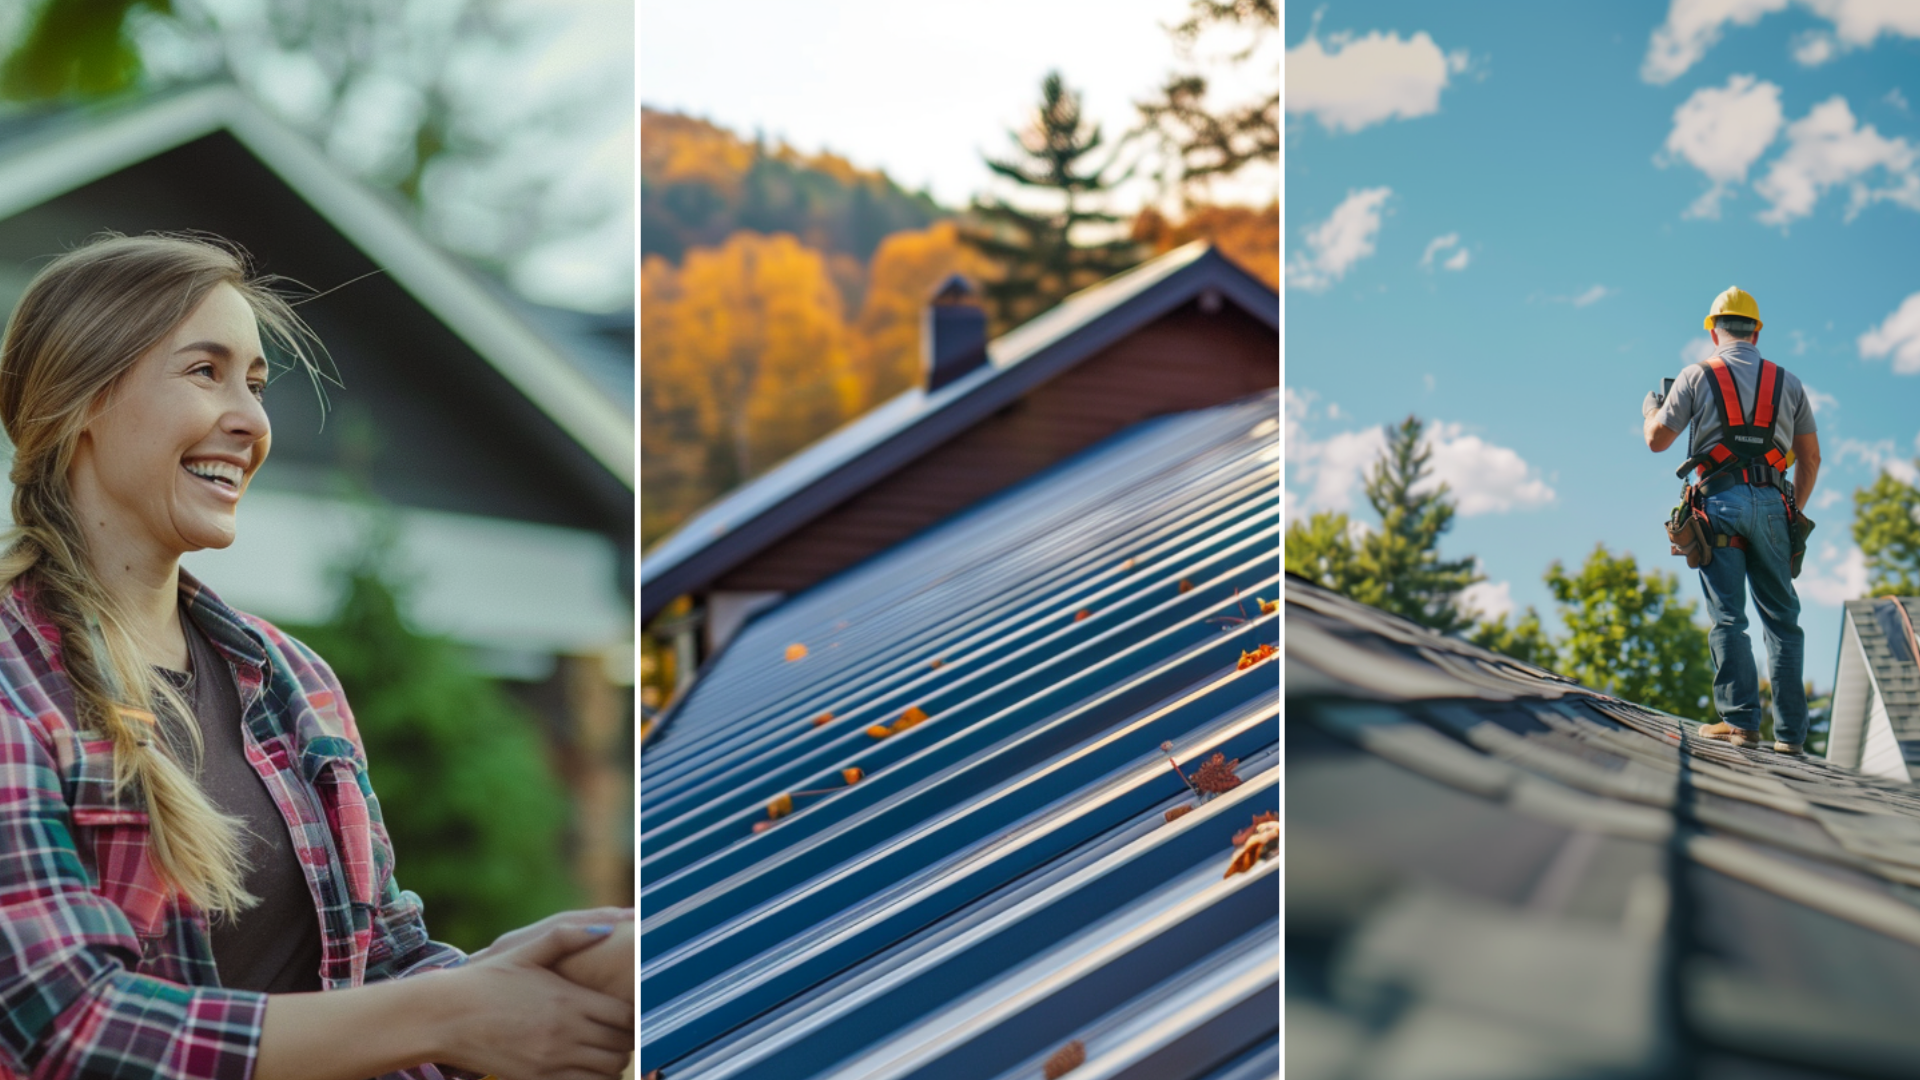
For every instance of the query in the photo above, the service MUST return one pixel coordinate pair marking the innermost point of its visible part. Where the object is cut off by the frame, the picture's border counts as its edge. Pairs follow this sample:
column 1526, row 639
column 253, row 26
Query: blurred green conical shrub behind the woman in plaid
column 477, row 816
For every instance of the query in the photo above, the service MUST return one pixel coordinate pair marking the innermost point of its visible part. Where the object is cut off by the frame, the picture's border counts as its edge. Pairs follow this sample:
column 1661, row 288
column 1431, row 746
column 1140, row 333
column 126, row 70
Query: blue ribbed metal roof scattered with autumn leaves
column 1003, row 881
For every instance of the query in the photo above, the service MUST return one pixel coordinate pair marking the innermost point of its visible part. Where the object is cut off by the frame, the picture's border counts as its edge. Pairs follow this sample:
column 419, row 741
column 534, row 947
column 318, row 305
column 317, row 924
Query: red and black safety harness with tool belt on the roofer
column 1746, row 454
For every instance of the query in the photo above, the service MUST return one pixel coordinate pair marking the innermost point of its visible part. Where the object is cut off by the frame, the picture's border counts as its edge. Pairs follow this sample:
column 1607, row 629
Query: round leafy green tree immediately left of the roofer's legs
column 1631, row 637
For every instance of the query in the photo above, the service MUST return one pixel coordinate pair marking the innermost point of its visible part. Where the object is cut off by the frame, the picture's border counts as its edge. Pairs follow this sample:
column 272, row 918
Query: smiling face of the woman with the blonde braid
column 170, row 449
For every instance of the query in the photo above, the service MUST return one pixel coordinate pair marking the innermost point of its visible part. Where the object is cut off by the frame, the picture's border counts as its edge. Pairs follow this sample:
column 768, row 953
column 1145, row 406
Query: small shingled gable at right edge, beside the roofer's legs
column 1877, row 691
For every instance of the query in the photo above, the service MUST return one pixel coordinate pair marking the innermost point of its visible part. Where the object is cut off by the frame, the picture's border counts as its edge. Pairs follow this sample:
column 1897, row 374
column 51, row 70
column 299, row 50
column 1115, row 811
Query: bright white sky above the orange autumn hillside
column 917, row 89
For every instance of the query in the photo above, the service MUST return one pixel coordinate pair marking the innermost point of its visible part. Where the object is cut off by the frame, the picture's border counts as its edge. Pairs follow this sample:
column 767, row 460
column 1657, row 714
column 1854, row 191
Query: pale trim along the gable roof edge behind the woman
column 51, row 157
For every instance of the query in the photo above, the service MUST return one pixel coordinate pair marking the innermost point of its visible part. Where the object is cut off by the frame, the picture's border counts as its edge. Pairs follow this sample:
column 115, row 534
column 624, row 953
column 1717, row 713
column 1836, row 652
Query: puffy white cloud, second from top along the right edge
column 1827, row 149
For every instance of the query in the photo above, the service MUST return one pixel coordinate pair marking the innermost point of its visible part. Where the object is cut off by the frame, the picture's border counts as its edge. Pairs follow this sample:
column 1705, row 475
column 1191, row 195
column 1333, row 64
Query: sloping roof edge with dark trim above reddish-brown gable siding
column 896, row 433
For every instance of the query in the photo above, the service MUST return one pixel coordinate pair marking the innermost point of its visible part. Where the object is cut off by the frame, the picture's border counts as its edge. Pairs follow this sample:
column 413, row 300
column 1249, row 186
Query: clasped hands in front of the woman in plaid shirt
column 521, row 1021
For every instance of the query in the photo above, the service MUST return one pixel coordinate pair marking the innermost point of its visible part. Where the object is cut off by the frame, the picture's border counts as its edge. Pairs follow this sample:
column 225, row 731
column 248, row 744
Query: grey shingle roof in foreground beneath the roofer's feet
column 1495, row 871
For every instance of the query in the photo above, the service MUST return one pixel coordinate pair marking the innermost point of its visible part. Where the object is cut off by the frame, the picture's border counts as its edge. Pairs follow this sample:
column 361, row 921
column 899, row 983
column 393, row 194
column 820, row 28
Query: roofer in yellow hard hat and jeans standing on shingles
column 1752, row 422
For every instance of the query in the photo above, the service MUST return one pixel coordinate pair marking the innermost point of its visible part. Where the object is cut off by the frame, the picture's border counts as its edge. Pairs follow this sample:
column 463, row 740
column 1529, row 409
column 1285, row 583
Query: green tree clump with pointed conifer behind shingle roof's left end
column 1395, row 568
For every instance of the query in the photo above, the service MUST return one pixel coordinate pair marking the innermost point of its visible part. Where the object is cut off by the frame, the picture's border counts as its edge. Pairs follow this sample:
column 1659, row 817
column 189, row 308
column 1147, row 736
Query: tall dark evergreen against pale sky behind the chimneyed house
column 1040, row 251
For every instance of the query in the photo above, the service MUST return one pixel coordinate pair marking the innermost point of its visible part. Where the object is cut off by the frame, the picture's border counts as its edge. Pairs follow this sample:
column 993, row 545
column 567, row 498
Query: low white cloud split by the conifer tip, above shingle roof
column 1479, row 476
